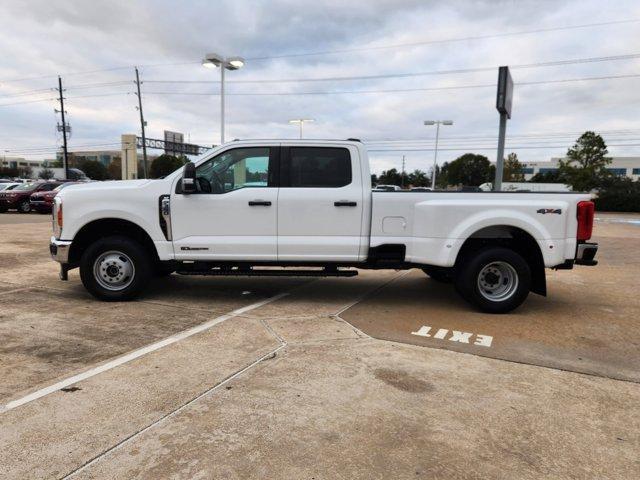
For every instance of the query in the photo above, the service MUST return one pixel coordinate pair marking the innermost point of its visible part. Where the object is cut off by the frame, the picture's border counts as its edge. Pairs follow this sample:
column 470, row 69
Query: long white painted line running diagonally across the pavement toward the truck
column 136, row 354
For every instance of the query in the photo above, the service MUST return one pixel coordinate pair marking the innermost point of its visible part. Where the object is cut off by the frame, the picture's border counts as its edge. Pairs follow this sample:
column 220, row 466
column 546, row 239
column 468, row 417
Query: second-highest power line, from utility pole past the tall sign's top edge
column 553, row 63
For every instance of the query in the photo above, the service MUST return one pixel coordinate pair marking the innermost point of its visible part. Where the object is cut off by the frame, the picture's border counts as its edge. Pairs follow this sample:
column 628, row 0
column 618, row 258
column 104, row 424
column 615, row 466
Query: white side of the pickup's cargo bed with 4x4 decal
column 434, row 225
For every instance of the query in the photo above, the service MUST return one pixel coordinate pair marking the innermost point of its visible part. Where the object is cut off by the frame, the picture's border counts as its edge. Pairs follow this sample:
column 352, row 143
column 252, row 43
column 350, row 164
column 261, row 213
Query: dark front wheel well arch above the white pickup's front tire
column 104, row 227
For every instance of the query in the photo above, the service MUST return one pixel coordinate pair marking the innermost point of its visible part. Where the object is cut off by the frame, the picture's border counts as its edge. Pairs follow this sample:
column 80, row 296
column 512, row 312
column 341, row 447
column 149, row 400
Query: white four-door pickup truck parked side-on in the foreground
column 248, row 206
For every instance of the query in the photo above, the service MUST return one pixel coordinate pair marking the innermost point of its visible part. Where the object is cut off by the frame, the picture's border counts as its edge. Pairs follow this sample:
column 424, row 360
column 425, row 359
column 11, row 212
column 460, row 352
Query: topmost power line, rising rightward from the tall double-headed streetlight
column 447, row 40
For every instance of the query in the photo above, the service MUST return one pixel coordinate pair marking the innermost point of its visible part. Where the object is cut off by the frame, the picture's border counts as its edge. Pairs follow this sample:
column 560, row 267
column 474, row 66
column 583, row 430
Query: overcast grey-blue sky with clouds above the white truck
column 404, row 62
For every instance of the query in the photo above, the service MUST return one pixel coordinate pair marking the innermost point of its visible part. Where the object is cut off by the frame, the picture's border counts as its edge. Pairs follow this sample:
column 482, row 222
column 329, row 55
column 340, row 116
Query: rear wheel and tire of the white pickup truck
column 494, row 279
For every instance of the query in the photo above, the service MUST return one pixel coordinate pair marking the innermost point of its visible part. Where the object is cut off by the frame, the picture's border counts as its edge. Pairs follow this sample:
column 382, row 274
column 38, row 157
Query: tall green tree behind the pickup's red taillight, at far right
column 585, row 165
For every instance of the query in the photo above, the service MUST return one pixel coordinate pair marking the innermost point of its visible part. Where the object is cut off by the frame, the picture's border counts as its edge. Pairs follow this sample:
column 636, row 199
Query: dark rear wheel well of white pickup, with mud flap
column 516, row 239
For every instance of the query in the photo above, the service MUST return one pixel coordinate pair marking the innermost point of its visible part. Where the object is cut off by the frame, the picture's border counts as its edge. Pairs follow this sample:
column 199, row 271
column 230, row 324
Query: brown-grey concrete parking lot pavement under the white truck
column 385, row 375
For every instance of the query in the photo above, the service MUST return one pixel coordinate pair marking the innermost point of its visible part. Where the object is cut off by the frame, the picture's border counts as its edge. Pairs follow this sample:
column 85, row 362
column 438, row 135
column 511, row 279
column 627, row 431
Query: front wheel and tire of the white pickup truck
column 115, row 268
